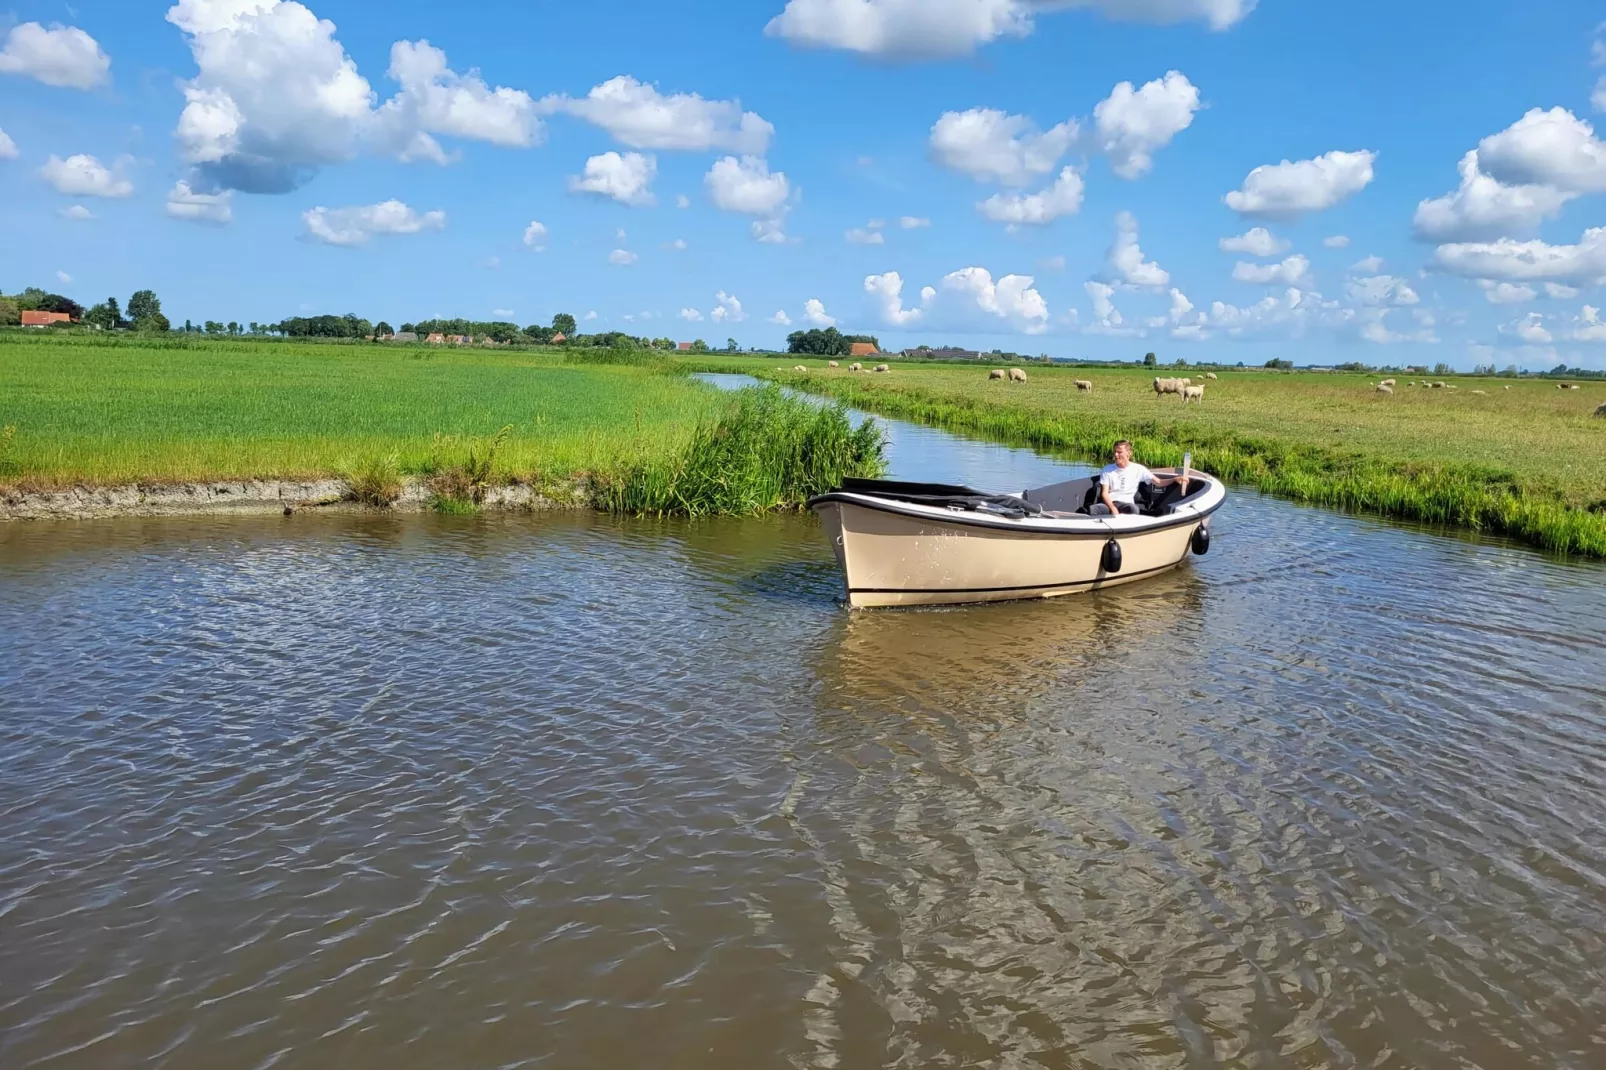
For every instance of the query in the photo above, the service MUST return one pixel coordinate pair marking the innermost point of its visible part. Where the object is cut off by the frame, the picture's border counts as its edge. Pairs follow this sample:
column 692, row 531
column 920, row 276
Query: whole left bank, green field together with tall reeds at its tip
column 126, row 410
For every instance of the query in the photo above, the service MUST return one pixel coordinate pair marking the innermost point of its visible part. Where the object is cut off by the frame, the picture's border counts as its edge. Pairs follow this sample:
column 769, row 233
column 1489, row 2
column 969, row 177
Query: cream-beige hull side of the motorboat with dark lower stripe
column 892, row 558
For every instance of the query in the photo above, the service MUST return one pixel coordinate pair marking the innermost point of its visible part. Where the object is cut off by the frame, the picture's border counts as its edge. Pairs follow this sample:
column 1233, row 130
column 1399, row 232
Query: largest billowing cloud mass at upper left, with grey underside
column 277, row 97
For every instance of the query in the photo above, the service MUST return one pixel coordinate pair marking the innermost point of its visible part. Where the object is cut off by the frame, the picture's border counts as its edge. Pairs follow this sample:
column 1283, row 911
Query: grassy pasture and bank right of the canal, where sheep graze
column 1528, row 462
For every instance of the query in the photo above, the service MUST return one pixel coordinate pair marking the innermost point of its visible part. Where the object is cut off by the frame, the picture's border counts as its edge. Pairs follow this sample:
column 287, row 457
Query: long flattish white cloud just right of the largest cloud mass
column 640, row 116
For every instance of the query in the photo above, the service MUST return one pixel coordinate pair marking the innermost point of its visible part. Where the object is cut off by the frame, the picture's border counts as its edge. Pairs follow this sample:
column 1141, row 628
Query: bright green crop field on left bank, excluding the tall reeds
column 128, row 410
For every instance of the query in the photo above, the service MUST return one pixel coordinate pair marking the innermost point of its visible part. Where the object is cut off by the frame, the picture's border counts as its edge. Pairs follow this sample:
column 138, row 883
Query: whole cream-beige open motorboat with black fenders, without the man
column 937, row 545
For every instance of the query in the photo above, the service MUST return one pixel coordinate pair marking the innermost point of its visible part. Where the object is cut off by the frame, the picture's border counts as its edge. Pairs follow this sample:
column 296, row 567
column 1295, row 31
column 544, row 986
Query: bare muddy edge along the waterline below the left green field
column 250, row 497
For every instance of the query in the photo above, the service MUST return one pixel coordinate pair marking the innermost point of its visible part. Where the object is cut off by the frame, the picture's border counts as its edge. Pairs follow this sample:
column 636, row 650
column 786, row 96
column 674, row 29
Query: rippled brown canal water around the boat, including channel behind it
column 574, row 791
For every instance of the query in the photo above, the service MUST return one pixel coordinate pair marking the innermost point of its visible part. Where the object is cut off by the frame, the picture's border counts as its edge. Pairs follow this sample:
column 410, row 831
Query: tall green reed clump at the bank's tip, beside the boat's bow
column 768, row 452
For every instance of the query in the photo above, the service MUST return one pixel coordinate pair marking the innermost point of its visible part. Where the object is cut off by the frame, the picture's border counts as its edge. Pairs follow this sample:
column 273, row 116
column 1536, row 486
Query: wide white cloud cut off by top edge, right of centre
column 956, row 28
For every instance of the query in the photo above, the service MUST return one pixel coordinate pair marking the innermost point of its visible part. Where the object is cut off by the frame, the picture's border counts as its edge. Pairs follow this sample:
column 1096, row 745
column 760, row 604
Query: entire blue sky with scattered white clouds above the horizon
column 1035, row 176
